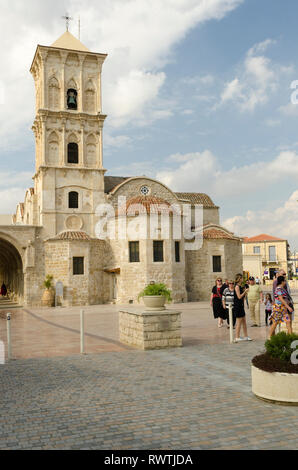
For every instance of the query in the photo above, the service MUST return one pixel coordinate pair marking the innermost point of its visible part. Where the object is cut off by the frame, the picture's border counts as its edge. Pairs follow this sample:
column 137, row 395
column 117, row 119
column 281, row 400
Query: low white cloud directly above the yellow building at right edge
column 282, row 222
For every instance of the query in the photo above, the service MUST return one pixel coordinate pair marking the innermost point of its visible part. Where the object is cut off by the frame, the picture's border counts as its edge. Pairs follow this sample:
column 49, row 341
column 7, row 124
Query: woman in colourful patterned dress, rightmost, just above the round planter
column 281, row 308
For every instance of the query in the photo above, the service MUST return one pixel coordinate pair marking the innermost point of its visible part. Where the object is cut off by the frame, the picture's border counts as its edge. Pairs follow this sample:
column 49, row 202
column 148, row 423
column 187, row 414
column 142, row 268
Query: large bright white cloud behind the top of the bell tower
column 138, row 36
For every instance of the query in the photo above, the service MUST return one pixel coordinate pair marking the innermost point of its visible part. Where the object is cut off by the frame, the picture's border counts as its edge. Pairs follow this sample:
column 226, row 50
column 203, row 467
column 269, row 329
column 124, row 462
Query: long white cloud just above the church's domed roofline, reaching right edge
column 203, row 172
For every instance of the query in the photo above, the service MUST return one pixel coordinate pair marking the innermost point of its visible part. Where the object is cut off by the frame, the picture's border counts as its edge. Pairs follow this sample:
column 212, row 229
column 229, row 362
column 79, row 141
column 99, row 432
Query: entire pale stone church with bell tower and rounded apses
column 103, row 237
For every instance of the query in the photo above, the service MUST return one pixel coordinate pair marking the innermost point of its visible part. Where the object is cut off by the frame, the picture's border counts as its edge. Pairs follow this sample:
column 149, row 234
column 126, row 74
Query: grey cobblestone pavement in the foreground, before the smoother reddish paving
column 195, row 397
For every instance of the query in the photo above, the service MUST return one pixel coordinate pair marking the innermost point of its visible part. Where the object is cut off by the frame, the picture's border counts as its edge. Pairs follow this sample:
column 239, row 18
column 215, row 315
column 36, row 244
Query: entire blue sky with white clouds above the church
column 197, row 92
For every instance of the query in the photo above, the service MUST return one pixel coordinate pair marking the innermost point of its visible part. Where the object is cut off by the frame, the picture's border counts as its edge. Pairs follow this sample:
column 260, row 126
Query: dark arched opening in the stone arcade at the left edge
column 11, row 269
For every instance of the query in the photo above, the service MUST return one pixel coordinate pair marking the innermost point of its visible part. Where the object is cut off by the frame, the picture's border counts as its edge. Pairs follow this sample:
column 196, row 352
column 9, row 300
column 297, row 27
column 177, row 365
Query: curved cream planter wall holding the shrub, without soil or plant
column 278, row 387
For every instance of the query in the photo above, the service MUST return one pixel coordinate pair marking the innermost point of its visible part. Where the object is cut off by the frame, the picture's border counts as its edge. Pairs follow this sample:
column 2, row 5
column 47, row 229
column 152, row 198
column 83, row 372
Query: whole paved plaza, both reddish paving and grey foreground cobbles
column 117, row 397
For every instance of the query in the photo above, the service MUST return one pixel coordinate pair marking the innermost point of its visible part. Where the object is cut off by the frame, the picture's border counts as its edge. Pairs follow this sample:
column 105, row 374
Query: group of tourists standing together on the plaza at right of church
column 232, row 293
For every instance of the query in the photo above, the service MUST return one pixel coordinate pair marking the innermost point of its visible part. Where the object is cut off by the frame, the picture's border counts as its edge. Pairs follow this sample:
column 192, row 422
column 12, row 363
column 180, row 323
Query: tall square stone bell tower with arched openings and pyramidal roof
column 69, row 177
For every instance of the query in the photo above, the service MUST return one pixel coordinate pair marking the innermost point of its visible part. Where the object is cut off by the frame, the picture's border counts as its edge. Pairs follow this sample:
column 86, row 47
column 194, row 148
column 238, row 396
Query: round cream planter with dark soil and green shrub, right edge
column 275, row 372
